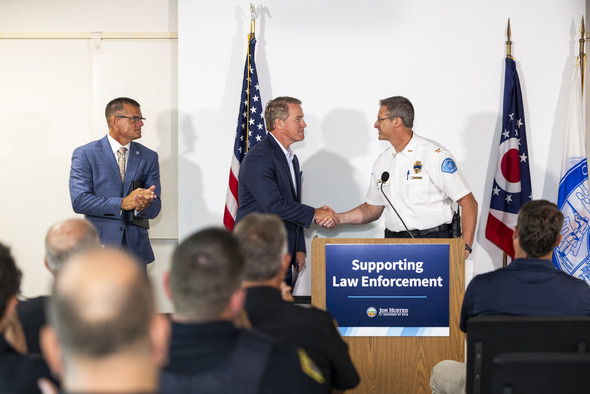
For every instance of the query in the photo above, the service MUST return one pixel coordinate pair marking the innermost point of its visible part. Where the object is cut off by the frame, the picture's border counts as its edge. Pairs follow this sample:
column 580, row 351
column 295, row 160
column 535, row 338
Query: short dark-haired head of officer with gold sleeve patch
column 207, row 268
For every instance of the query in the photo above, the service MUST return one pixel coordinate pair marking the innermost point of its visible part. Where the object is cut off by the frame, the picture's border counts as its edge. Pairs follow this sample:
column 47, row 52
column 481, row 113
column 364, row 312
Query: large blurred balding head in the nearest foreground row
column 102, row 305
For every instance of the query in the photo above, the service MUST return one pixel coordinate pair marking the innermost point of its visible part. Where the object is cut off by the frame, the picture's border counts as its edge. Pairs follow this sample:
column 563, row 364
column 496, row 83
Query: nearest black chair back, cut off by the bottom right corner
column 541, row 373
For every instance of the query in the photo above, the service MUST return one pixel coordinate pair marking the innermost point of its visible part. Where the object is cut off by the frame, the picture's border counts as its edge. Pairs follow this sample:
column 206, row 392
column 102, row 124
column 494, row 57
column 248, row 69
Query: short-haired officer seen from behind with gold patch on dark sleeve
column 208, row 353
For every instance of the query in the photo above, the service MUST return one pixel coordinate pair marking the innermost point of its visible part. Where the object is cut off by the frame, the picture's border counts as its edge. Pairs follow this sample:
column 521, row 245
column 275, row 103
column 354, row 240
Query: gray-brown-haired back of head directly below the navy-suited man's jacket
column 263, row 241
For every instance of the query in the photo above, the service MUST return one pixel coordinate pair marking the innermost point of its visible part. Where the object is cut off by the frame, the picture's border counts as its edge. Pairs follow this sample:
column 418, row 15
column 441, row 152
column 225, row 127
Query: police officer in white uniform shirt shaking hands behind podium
column 420, row 179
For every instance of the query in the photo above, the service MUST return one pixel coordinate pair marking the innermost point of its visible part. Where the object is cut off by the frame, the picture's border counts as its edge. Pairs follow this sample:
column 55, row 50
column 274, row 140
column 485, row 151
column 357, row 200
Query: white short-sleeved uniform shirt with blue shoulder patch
column 424, row 181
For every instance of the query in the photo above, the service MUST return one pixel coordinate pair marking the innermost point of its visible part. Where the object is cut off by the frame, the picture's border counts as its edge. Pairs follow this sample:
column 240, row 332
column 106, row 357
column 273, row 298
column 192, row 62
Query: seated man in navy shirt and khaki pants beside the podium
column 529, row 285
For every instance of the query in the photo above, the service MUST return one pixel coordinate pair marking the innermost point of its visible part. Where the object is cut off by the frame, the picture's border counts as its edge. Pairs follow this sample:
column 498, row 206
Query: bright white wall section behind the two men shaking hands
column 340, row 58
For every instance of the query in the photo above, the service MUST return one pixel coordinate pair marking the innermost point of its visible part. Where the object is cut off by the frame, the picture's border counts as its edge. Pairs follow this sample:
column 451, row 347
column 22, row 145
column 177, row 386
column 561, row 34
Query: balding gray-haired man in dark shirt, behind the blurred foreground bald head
column 63, row 240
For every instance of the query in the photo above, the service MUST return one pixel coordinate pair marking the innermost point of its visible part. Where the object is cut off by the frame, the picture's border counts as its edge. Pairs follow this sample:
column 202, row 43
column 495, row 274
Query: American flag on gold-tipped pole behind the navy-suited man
column 250, row 131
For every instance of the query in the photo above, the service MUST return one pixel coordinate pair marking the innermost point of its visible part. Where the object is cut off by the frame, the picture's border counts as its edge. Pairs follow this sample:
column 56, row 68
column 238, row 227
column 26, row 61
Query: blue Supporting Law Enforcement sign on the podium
column 388, row 289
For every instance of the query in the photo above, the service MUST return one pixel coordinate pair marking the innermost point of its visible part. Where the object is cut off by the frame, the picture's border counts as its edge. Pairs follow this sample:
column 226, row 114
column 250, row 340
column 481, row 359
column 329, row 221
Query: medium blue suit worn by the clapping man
column 96, row 191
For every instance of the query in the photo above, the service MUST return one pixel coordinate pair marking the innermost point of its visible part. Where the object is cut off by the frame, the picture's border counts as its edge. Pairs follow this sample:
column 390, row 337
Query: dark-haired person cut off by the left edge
column 18, row 372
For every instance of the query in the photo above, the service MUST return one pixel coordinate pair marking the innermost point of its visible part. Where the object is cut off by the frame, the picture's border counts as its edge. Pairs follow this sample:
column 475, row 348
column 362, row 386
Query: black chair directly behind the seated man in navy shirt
column 489, row 336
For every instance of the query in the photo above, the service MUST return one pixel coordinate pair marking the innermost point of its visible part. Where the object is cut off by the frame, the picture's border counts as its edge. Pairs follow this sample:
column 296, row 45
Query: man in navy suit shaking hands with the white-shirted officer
column 270, row 178
